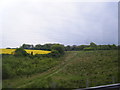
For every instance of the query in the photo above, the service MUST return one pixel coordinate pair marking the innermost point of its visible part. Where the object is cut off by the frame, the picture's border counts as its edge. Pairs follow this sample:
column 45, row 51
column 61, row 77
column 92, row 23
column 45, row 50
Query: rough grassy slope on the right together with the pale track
column 76, row 69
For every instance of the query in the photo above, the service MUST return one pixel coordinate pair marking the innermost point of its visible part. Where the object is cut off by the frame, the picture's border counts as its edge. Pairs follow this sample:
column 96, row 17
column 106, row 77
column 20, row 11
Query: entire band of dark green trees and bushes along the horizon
column 57, row 50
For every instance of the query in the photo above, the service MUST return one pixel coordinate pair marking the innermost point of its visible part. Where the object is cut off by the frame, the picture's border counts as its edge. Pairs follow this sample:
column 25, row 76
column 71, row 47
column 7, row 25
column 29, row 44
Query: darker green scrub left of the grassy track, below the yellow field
column 25, row 66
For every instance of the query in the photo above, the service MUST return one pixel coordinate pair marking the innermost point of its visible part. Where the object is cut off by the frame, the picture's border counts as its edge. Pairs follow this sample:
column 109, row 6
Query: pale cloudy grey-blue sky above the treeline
column 69, row 23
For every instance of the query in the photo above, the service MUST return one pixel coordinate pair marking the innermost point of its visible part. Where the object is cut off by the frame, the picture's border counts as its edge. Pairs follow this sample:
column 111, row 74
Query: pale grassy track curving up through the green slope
column 21, row 82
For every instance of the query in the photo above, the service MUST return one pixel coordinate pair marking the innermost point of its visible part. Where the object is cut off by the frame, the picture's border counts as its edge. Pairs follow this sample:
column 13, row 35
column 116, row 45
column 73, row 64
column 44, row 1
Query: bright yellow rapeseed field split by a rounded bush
column 11, row 51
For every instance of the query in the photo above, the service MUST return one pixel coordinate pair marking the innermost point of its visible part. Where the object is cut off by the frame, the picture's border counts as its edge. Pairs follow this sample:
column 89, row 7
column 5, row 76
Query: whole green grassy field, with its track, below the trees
column 76, row 69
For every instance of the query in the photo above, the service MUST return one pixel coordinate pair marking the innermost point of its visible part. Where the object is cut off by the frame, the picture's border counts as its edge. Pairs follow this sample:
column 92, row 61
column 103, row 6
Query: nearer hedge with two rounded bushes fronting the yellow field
column 57, row 50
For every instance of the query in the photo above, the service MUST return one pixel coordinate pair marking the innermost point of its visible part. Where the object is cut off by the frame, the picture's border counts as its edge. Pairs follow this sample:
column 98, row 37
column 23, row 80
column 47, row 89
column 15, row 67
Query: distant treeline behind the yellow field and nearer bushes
column 91, row 46
